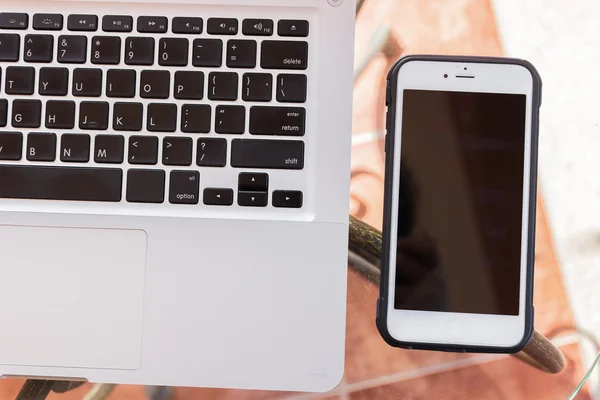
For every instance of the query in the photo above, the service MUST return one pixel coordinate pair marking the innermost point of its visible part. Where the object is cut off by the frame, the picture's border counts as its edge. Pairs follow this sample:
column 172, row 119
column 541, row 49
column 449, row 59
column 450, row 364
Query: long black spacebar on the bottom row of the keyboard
column 60, row 183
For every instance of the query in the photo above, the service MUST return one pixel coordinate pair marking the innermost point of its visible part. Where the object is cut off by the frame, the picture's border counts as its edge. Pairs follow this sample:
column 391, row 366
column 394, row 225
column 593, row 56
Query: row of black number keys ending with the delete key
column 172, row 52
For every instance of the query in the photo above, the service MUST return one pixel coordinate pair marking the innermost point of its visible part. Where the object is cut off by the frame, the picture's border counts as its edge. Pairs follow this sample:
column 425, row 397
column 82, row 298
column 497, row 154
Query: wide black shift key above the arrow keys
column 267, row 154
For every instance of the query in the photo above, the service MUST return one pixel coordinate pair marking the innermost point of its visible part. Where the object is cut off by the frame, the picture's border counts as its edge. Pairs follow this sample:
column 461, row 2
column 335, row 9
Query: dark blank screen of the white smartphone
column 461, row 202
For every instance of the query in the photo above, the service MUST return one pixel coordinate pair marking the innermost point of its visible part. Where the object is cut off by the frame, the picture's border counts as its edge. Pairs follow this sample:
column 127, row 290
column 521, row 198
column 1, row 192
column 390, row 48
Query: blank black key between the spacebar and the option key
column 145, row 186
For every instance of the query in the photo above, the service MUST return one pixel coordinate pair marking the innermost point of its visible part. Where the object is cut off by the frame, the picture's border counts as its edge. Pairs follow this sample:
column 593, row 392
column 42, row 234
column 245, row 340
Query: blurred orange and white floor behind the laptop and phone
column 560, row 38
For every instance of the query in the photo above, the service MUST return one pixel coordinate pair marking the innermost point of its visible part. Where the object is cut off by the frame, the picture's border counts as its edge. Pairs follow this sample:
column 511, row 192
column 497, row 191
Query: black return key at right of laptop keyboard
column 286, row 121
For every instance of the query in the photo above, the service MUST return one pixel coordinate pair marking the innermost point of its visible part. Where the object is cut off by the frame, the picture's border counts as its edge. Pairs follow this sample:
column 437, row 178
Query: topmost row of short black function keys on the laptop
column 155, row 24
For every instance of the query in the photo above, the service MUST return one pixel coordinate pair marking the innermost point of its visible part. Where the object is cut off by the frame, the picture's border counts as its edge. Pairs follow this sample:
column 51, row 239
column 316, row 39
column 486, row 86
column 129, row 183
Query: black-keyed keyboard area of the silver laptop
column 142, row 109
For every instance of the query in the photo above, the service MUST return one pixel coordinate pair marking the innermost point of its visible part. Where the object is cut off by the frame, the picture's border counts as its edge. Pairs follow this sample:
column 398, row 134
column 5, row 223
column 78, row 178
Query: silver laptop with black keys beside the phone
column 174, row 180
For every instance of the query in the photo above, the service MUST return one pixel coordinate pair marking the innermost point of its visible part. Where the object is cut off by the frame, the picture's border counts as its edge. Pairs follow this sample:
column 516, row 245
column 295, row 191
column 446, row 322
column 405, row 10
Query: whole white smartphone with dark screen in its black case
column 460, row 203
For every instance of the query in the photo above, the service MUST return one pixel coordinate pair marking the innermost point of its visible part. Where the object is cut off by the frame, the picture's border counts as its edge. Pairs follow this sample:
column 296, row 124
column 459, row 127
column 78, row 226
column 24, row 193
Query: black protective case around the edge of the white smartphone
column 382, row 303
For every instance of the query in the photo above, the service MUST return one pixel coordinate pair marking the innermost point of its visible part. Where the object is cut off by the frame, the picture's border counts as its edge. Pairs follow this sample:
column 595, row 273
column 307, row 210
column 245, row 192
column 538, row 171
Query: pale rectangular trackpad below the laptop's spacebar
column 71, row 297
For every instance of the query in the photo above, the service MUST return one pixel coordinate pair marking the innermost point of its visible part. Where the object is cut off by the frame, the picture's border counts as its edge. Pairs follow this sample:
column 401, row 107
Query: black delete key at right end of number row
column 284, row 55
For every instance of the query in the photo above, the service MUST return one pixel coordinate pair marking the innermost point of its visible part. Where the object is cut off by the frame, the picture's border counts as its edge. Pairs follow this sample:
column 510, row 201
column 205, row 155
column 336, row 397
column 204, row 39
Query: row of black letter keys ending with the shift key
column 144, row 150
